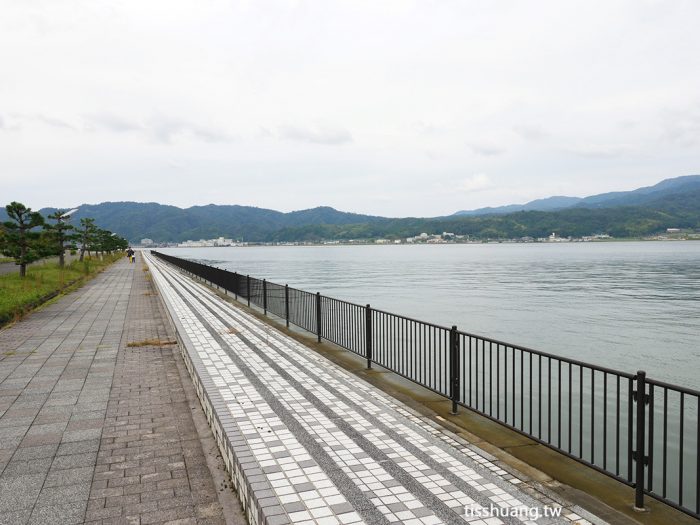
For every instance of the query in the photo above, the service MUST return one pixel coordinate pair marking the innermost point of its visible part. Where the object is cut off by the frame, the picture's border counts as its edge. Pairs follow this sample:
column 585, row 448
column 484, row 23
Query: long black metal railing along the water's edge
column 642, row 432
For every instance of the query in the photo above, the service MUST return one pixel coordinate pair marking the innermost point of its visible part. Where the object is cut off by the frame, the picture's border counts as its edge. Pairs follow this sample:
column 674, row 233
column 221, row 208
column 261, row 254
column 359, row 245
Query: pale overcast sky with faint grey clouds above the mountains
column 391, row 108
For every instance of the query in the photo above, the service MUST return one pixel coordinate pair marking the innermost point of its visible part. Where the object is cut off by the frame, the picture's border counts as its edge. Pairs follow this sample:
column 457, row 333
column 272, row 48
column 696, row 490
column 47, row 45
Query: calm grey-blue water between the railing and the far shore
column 628, row 306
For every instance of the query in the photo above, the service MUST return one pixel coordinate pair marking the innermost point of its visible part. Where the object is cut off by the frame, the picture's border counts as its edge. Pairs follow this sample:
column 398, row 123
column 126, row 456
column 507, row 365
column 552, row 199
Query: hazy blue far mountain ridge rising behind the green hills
column 636, row 197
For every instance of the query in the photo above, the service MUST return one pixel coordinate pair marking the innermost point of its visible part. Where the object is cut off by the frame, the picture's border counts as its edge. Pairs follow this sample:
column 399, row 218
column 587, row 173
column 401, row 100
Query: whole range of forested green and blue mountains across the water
column 673, row 203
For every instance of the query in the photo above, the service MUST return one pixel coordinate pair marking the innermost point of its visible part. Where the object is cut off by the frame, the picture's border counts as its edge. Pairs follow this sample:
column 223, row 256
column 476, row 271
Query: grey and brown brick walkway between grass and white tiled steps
column 91, row 429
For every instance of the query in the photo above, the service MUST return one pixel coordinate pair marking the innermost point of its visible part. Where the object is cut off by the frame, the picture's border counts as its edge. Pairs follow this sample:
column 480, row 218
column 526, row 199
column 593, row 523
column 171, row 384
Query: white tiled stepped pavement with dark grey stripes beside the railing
column 307, row 442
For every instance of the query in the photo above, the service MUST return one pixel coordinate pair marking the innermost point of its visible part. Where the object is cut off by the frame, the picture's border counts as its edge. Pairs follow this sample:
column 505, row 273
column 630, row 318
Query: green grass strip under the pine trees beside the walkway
column 43, row 282
